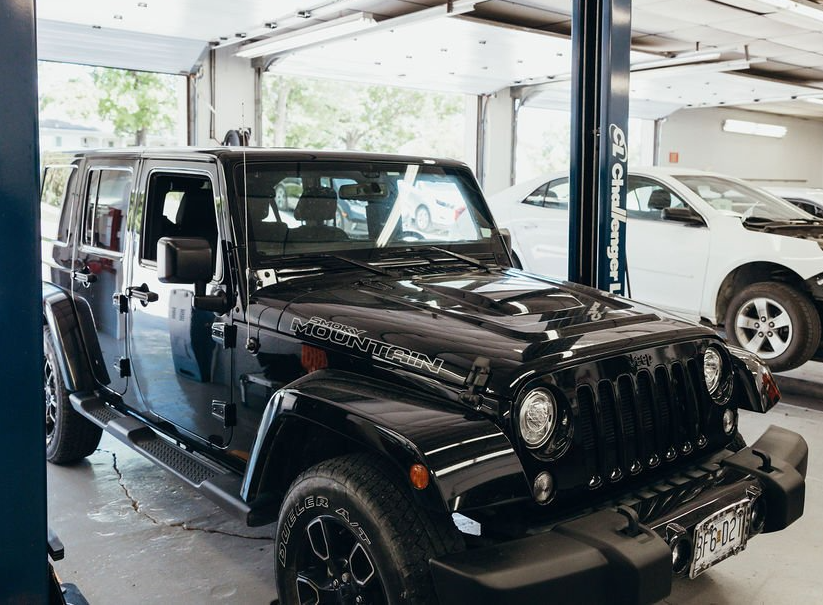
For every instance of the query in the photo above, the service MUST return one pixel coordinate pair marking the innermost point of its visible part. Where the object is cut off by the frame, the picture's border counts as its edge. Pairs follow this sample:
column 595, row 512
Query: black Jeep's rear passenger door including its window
column 99, row 244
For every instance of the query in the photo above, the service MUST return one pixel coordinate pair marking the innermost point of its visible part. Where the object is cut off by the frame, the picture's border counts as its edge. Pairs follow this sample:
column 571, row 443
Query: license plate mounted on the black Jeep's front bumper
column 720, row 536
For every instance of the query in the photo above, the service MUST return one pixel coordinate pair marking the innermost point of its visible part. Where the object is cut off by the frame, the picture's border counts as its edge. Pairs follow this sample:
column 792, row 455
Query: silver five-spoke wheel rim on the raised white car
column 763, row 326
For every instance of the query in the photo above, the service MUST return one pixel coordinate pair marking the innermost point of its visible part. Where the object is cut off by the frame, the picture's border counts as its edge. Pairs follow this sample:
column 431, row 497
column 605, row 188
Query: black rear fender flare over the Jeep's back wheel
column 74, row 337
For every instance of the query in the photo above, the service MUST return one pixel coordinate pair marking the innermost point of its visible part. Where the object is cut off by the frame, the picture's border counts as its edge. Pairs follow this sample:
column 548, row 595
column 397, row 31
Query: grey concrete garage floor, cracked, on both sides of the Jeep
column 133, row 534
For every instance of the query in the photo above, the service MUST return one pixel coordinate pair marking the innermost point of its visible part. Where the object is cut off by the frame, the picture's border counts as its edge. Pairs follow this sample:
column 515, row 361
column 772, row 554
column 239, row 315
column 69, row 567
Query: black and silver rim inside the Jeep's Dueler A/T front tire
column 333, row 566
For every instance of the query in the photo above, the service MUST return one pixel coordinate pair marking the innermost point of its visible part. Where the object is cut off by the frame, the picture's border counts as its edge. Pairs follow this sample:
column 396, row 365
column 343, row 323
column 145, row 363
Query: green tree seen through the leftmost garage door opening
column 135, row 102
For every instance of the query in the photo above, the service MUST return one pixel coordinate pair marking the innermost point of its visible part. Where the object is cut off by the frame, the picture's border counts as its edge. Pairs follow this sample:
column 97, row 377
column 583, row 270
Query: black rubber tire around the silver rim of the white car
column 806, row 319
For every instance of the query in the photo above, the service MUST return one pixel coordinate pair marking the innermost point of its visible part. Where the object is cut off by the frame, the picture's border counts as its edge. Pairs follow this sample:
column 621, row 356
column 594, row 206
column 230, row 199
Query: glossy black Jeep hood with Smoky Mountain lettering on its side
column 438, row 326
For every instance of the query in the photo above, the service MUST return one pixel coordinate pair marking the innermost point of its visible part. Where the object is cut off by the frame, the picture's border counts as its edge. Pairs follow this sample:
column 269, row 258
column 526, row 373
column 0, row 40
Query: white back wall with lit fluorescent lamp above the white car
column 696, row 135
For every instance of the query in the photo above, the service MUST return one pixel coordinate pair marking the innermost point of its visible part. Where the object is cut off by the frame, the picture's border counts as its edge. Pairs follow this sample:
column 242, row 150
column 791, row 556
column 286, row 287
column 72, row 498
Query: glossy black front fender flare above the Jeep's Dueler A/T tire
column 471, row 462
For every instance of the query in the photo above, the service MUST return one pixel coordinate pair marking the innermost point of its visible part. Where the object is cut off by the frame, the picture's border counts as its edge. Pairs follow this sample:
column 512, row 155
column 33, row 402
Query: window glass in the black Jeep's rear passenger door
column 107, row 201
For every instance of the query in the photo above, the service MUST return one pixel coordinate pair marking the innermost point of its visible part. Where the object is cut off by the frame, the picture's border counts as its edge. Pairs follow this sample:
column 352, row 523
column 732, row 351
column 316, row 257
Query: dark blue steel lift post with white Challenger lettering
column 601, row 41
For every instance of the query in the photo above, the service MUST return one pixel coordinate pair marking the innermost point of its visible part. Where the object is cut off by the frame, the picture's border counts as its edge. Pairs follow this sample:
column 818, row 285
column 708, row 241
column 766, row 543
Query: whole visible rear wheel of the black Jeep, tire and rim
column 69, row 436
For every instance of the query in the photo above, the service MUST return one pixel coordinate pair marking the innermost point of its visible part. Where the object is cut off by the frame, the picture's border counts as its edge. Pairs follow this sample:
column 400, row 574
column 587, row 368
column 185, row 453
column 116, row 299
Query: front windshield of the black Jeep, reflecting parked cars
column 294, row 208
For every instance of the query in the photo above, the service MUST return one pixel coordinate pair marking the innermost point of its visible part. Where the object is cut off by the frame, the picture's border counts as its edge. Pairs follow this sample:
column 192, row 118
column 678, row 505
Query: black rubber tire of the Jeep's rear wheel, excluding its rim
column 75, row 436
